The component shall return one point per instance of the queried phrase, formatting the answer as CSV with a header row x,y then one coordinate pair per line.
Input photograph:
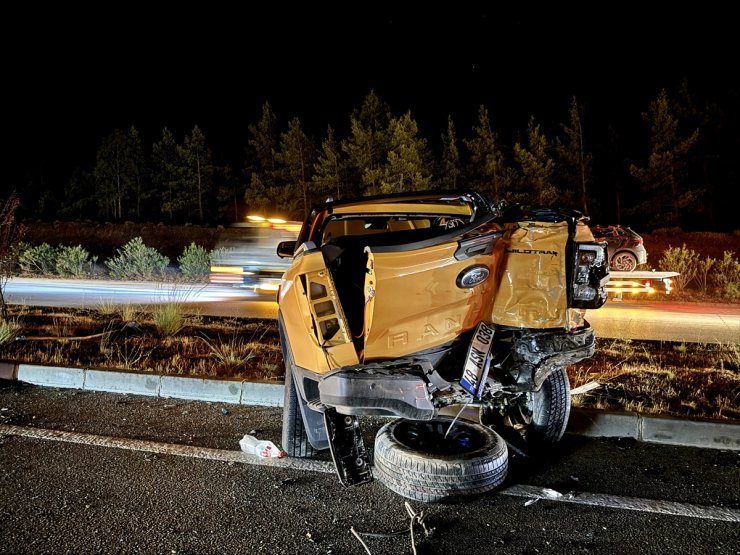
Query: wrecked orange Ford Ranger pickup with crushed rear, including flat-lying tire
x,y
422,306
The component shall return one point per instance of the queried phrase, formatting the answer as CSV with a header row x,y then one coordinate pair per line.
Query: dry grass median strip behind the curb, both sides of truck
x,y
699,381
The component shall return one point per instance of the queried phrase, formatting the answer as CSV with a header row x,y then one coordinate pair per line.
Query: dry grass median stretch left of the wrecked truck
x,y
191,346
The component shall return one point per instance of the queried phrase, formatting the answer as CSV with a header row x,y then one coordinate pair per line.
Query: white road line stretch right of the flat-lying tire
x,y
630,503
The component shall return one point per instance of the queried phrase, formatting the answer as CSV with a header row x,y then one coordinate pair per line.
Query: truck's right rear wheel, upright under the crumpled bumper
x,y
543,419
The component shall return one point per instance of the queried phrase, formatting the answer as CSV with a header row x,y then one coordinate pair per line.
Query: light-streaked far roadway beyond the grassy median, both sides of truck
x,y
666,321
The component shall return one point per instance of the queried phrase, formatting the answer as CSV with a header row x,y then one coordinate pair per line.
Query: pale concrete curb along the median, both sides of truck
x,y
587,422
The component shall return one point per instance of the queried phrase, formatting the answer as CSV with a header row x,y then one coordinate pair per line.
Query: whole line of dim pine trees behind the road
x,y
674,182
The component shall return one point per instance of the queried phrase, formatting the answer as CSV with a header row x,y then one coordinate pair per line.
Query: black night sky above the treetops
x,y
75,75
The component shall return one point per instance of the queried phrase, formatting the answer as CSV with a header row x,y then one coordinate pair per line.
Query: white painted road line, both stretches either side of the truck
x,y
517,490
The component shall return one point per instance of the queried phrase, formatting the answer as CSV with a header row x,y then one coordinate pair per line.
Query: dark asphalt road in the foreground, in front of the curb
x,y
104,473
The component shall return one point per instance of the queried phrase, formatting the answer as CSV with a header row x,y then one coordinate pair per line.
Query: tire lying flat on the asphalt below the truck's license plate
x,y
415,460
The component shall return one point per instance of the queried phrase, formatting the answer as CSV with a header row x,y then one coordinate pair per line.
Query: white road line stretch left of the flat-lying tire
x,y
167,448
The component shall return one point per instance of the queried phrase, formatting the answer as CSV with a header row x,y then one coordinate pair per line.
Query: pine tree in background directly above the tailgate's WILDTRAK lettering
x,y
537,168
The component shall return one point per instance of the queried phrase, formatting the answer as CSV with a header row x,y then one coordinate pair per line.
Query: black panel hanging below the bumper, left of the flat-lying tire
x,y
347,448
